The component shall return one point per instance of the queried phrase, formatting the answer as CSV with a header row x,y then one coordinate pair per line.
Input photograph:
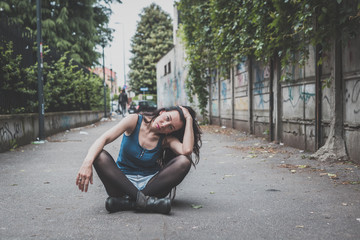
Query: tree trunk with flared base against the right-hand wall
x,y
334,148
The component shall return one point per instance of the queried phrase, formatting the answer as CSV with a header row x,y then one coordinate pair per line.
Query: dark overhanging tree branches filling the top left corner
x,y
70,26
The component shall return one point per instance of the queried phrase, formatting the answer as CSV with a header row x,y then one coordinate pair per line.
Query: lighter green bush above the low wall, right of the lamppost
x,y
68,88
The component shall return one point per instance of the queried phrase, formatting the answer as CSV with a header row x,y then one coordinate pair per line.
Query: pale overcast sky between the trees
x,y
125,17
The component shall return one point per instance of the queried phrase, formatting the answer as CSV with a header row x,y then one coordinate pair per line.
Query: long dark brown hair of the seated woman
x,y
179,134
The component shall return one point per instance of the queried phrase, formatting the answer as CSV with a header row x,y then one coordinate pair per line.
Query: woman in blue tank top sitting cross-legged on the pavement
x,y
143,174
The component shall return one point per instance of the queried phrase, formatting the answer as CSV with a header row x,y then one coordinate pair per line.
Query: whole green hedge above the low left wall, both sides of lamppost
x,y
66,86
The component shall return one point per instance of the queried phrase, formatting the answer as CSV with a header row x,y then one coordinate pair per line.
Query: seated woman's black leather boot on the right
x,y
153,204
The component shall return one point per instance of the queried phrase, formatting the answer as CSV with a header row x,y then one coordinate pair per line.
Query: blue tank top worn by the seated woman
x,y
136,160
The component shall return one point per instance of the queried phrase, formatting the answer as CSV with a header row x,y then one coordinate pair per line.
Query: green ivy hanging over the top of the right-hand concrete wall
x,y
218,33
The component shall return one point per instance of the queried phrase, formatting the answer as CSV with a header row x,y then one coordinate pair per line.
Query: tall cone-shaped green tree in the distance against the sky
x,y
152,40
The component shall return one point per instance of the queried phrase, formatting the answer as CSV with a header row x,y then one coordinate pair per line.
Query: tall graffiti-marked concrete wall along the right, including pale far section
x,y
242,100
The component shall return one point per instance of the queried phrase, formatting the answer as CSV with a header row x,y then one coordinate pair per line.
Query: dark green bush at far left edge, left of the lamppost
x,y
17,92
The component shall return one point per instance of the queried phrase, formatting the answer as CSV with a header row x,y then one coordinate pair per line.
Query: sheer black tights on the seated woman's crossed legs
x,y
117,184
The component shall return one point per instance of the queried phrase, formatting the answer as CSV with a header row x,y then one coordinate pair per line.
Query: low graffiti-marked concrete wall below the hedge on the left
x,y
21,129
